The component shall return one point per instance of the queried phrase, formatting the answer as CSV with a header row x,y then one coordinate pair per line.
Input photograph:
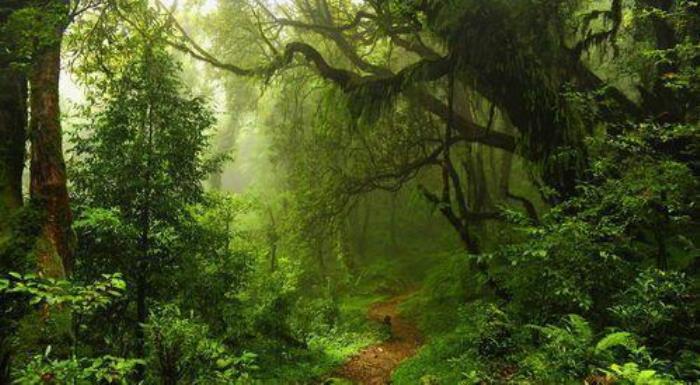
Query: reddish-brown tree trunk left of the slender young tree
x,y
48,171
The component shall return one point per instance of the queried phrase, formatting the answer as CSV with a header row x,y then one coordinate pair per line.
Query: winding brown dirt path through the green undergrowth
x,y
374,365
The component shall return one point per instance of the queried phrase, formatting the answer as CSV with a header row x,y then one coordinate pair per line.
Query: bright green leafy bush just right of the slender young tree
x,y
220,263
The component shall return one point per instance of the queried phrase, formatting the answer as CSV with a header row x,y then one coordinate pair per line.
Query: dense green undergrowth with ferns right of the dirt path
x,y
591,254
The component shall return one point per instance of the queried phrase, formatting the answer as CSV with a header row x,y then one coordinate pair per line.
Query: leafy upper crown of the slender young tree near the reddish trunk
x,y
162,136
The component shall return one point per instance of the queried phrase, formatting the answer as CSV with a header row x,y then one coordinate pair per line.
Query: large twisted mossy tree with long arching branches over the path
x,y
377,84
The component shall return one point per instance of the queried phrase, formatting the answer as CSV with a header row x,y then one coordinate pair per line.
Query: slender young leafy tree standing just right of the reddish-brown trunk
x,y
157,171
